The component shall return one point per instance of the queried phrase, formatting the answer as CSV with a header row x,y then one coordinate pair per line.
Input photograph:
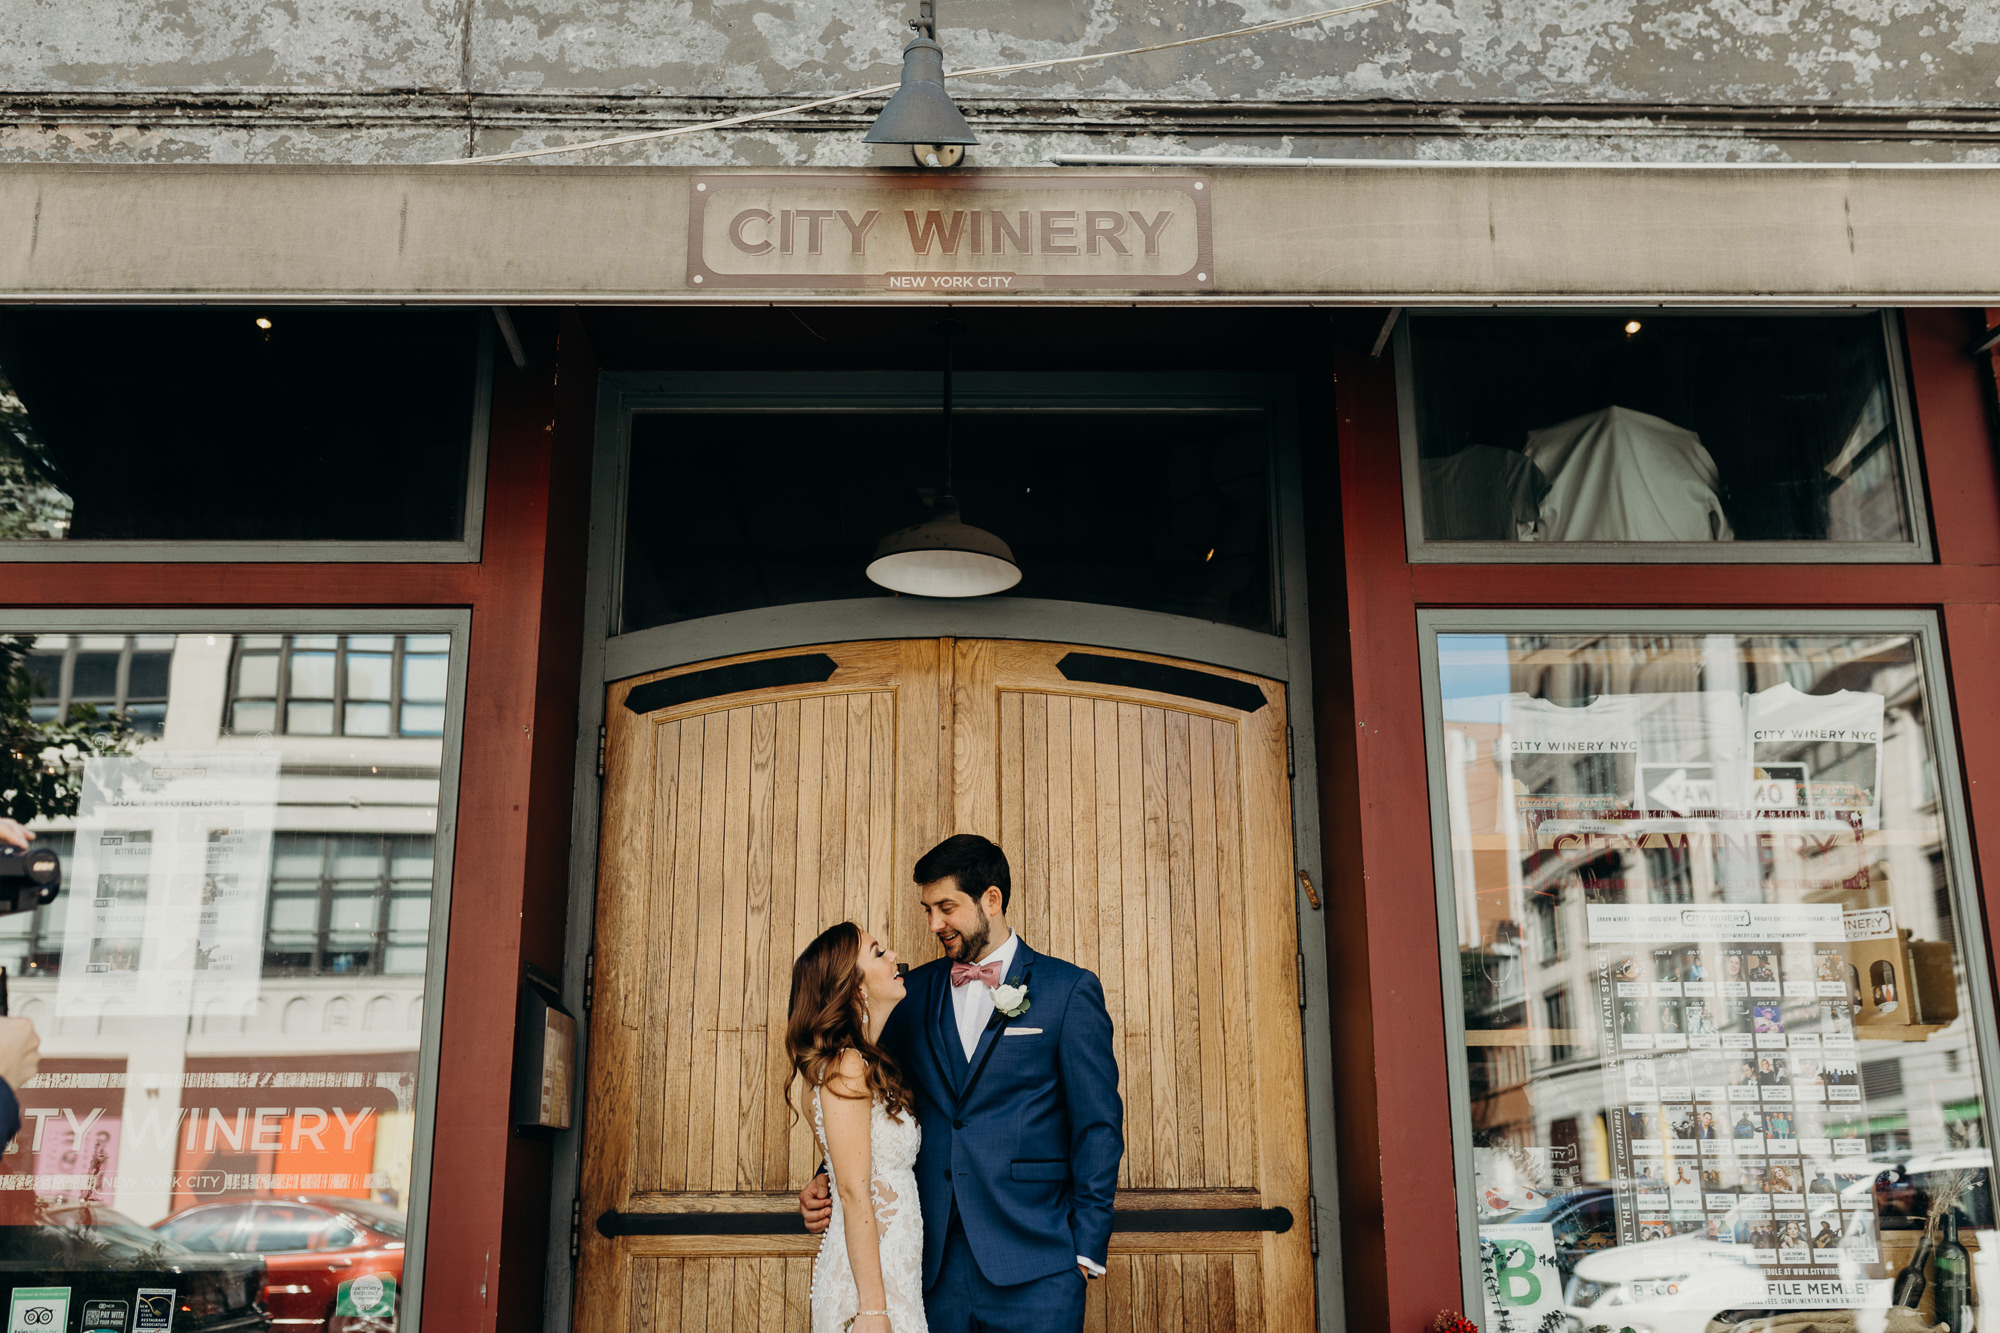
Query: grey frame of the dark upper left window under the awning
x,y
463,549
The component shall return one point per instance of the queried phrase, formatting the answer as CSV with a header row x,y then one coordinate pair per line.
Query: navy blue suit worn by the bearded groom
x,y
1023,1142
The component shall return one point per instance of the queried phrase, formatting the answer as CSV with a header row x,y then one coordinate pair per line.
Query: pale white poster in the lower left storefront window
x,y
167,894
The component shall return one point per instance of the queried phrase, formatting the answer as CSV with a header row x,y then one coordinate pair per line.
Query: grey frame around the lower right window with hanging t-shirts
x,y
1953,816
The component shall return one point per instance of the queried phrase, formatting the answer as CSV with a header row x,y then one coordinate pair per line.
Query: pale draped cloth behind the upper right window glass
x,y
1627,477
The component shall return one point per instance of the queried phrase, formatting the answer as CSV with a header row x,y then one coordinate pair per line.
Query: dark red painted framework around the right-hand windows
x,y
1397,1190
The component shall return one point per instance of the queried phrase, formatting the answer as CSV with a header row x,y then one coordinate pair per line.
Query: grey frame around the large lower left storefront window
x,y
453,621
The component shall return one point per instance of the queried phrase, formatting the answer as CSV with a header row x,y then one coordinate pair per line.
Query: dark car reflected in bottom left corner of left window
x,y
105,1256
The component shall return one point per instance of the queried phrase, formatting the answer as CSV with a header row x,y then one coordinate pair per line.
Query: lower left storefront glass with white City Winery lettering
x,y
231,984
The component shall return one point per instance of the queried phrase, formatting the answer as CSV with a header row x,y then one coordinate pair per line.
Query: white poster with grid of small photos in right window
x,y
1735,1094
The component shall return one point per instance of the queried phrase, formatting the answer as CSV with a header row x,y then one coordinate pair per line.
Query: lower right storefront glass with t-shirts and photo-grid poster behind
x,y
1723,1012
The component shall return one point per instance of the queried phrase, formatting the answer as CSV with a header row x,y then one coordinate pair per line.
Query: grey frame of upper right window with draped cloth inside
x,y
1919,549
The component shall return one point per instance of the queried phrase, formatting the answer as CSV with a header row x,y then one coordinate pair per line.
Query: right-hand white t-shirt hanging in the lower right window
x,y
1817,752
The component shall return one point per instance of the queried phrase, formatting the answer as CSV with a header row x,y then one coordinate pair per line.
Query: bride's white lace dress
x,y
899,1226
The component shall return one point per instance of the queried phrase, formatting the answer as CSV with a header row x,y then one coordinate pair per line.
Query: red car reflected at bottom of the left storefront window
x,y
311,1246
